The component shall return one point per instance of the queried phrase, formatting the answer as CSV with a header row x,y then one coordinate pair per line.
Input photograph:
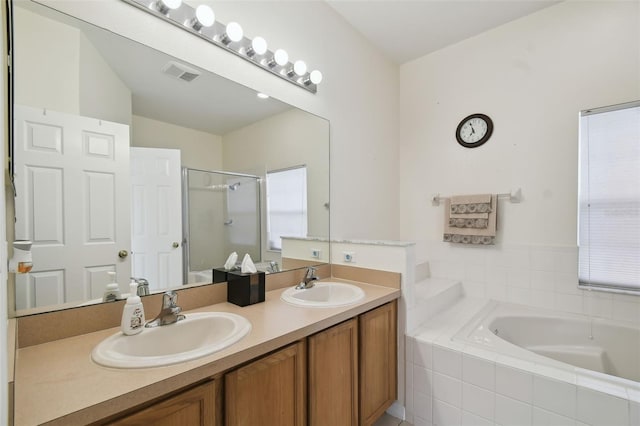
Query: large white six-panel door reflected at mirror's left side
x,y
72,201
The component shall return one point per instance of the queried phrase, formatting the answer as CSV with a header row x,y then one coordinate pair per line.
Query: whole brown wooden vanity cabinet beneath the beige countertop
x,y
345,375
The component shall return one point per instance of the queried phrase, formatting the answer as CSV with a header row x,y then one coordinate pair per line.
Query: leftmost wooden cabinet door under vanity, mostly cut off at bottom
x,y
195,406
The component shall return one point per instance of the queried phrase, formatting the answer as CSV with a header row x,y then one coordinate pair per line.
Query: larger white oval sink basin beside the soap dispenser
x,y
199,334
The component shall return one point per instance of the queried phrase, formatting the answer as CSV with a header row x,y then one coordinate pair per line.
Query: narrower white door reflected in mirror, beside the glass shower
x,y
156,215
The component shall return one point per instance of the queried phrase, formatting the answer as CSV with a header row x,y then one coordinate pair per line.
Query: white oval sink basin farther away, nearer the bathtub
x,y
324,294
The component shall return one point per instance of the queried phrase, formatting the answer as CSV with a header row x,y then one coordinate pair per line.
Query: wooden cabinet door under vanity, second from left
x,y
270,391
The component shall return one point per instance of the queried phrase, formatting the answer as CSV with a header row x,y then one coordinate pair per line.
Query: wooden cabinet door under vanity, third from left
x,y
333,376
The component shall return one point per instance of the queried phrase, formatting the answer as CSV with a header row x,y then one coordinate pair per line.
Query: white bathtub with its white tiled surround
x,y
484,362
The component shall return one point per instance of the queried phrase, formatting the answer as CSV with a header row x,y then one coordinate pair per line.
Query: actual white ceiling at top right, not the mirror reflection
x,y
405,30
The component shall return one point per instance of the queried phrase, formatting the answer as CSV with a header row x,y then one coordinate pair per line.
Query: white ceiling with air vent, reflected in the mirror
x,y
209,103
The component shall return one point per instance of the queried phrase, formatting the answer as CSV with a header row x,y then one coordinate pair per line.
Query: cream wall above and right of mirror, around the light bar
x,y
358,94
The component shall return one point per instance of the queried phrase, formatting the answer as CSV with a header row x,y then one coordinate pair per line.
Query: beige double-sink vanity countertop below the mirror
x,y
58,383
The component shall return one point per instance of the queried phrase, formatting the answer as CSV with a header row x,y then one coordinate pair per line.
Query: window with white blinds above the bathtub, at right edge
x,y
609,198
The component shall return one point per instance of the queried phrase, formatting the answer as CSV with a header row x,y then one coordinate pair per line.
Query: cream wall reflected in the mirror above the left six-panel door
x,y
57,68
